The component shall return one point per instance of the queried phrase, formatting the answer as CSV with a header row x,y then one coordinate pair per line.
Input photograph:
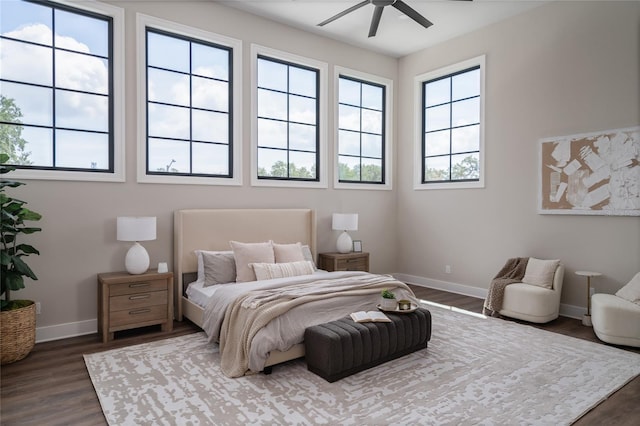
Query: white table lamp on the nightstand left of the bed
x,y
136,229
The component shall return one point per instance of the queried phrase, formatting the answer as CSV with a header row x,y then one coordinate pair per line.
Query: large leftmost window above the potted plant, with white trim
x,y
60,84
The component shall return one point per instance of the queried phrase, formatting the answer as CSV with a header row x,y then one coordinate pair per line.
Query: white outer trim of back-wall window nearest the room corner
x,y
387,154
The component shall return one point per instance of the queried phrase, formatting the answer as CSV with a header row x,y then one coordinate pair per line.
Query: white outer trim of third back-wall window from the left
x,y
258,51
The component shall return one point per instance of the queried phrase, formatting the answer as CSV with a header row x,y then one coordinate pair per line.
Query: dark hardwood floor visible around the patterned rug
x,y
52,387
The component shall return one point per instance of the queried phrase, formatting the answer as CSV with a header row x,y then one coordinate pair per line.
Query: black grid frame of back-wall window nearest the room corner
x,y
383,134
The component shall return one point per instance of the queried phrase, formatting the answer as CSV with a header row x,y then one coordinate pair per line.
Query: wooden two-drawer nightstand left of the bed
x,y
128,301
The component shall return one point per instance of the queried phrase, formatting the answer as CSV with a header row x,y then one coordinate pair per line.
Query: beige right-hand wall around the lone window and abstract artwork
x,y
561,69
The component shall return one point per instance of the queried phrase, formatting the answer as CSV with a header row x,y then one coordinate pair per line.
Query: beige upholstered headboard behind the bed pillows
x,y
212,229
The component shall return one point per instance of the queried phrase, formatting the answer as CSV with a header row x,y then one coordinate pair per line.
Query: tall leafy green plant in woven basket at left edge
x,y
17,317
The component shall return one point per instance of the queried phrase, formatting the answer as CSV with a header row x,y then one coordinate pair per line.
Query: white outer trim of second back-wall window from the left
x,y
171,28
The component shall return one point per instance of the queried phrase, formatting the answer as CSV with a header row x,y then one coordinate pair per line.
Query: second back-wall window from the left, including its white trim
x,y
187,102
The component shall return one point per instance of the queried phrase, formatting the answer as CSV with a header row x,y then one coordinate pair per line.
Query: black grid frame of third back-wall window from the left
x,y
288,121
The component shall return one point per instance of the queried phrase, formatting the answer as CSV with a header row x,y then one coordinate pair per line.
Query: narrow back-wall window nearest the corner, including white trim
x,y
363,130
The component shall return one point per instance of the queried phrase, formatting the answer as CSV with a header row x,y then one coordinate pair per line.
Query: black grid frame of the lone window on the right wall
x,y
450,154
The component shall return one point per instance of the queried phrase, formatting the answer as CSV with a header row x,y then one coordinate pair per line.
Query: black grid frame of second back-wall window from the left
x,y
191,141
